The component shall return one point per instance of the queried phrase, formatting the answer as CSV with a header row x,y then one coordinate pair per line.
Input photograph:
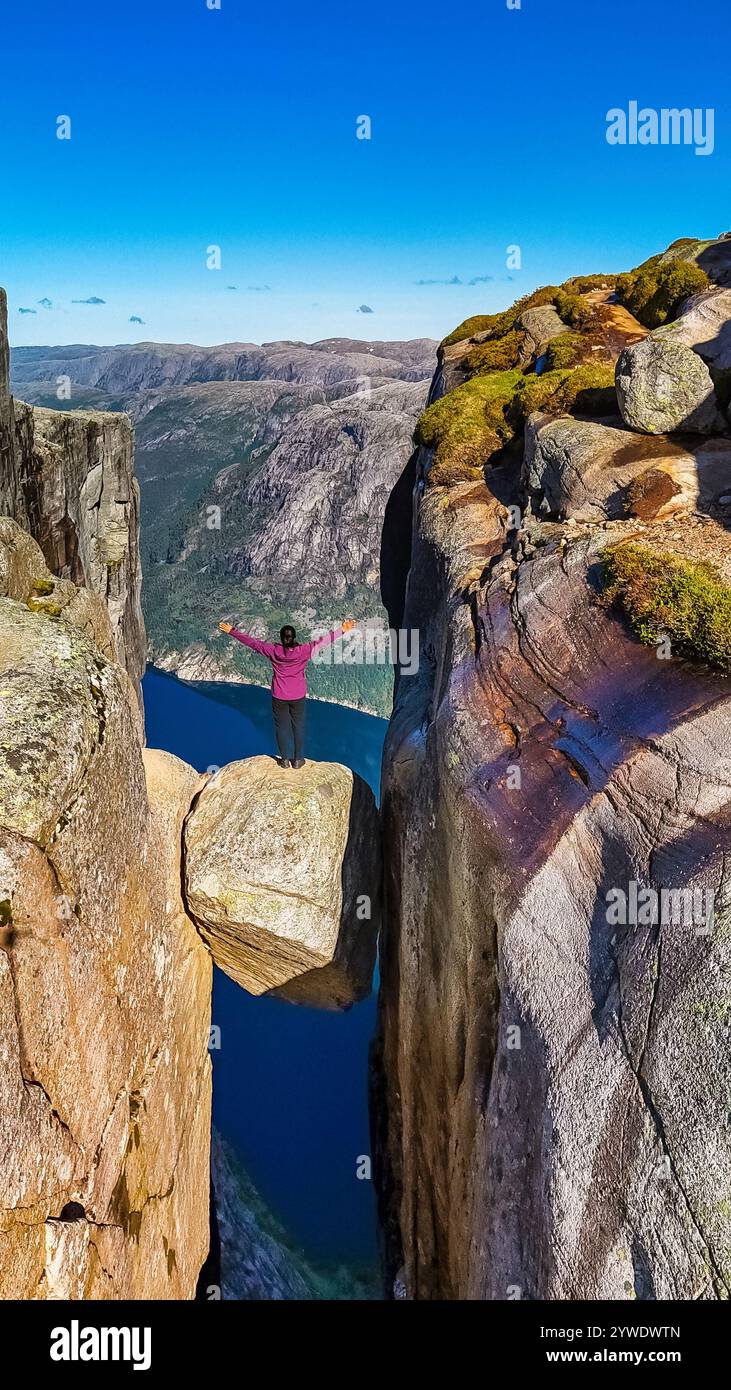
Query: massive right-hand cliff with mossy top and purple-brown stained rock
x,y
552,1072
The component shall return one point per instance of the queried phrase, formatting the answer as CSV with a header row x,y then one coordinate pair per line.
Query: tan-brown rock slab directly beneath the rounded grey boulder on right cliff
x,y
591,472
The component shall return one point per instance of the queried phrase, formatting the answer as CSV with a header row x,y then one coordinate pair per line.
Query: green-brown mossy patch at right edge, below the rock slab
x,y
665,596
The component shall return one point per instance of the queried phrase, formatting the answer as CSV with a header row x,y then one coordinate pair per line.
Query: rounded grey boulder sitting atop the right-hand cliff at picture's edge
x,y
664,386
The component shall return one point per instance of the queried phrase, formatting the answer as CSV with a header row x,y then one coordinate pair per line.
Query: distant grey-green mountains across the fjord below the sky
x,y
298,445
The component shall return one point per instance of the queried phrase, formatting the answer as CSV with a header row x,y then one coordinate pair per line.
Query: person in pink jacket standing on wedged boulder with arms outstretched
x,y
288,685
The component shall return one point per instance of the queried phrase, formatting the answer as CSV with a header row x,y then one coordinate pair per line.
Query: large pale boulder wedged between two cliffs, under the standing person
x,y
283,874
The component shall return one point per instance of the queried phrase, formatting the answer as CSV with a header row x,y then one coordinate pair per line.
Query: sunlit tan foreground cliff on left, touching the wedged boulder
x,y
105,986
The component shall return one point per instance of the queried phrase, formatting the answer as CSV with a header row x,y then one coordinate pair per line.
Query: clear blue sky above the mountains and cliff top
x,y
237,127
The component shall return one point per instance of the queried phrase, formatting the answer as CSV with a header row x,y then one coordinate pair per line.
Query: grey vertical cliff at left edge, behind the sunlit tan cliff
x,y
69,480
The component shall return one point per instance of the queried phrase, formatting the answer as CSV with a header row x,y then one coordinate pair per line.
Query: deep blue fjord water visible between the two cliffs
x,y
290,1084
